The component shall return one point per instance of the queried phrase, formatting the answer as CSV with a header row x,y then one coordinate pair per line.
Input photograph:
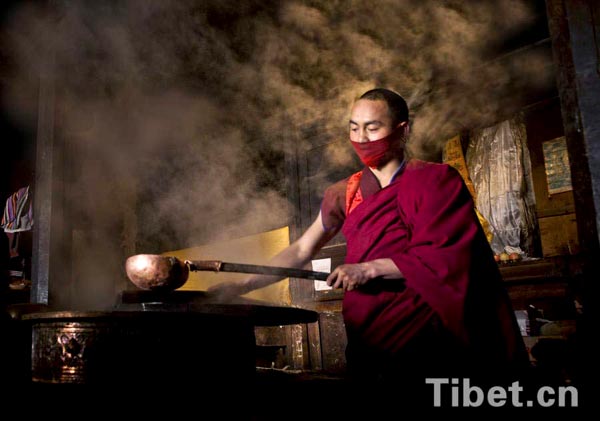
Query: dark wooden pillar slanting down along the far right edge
x,y
575,32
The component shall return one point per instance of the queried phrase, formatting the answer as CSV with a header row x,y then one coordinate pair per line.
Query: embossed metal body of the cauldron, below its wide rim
x,y
140,348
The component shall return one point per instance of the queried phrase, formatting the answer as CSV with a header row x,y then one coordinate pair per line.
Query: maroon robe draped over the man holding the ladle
x,y
424,221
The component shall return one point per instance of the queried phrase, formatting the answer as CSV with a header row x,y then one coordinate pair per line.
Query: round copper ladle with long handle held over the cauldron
x,y
158,272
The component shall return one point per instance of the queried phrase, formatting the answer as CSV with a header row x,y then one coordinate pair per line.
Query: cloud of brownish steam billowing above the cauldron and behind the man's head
x,y
178,115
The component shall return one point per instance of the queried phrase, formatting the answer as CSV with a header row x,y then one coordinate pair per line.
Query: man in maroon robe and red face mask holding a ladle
x,y
423,294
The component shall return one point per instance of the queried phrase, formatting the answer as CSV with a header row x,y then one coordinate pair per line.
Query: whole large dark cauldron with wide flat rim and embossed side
x,y
153,339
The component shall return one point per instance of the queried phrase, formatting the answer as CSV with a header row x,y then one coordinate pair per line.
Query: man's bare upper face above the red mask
x,y
369,121
